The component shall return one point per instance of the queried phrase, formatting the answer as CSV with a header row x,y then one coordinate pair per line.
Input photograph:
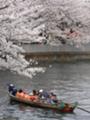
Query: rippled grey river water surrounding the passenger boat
x,y
70,81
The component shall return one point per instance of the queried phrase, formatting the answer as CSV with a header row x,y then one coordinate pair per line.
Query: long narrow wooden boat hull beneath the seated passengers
x,y
61,107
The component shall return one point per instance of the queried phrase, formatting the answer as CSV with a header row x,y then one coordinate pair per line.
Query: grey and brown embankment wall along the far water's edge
x,y
56,53
